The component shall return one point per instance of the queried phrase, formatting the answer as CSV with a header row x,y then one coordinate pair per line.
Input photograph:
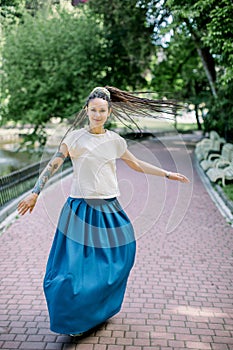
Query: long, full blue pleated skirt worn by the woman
x,y
89,263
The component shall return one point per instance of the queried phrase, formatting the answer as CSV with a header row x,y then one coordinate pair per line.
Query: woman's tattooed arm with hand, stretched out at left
x,y
55,163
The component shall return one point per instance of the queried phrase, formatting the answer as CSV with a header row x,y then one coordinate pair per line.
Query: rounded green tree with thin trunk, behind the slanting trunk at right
x,y
179,73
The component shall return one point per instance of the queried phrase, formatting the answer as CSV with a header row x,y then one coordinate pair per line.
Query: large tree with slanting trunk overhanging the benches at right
x,y
208,23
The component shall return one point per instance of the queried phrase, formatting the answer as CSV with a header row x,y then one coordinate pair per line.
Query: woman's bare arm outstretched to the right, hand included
x,y
147,168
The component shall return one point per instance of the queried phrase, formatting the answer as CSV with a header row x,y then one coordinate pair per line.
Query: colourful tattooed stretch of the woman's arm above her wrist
x,y
50,169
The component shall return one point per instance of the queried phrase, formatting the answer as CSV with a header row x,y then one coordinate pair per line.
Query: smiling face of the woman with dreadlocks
x,y
98,112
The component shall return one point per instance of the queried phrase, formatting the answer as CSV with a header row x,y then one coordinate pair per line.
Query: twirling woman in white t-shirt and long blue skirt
x,y
94,246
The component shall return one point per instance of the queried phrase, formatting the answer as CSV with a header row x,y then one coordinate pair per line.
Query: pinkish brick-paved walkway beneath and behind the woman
x,y
180,292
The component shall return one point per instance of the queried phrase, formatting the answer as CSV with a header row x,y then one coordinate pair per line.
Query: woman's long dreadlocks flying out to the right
x,y
127,105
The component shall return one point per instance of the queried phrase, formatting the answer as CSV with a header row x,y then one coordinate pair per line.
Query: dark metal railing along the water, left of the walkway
x,y
20,181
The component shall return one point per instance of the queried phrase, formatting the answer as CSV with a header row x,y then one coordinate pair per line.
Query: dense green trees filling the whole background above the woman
x,y
183,48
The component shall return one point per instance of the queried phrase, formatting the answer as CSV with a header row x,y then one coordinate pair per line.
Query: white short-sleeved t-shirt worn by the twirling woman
x,y
94,163
